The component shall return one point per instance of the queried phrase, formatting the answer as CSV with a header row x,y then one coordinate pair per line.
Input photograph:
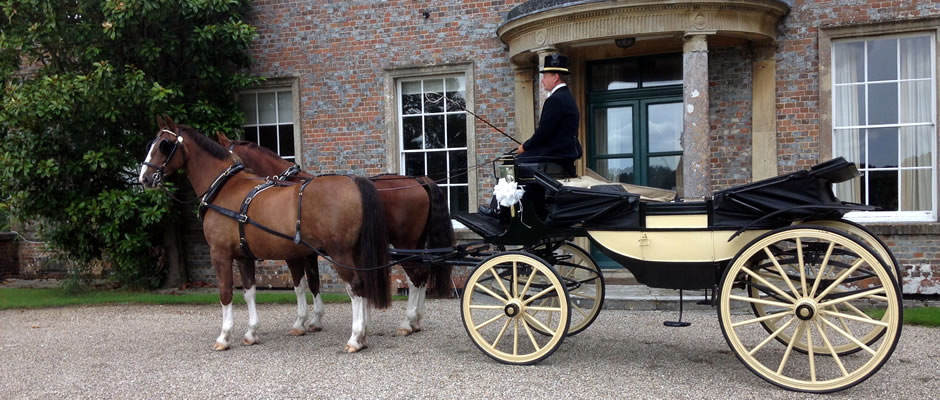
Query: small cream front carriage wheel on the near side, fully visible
x,y
498,303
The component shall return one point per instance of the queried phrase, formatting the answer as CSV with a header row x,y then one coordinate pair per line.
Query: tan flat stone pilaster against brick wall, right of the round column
x,y
763,114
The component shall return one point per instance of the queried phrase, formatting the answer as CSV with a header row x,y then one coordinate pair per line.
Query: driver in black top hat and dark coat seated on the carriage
x,y
554,146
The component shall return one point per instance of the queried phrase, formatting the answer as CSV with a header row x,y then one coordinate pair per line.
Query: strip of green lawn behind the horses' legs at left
x,y
38,298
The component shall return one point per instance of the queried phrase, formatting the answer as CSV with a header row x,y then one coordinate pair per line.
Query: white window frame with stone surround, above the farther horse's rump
x,y
395,158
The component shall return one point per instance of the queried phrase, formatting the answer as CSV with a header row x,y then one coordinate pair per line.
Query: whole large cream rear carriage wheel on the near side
x,y
829,292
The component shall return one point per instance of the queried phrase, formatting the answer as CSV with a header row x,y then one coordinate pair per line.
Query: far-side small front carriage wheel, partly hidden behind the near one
x,y
585,284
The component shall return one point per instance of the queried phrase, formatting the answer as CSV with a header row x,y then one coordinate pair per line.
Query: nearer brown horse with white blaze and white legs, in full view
x,y
340,214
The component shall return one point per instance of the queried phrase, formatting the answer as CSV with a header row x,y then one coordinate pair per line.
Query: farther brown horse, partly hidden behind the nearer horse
x,y
416,216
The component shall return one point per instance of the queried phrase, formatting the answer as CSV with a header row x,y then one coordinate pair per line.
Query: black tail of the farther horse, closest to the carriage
x,y
439,233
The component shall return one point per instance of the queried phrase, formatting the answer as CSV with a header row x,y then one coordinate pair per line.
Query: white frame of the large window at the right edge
x,y
890,216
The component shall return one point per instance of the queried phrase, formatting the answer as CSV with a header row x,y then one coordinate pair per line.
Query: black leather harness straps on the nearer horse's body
x,y
242,215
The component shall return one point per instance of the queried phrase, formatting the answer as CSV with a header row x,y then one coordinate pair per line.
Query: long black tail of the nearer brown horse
x,y
373,247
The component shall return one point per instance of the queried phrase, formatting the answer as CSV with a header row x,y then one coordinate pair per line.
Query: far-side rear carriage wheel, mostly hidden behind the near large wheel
x,y
857,231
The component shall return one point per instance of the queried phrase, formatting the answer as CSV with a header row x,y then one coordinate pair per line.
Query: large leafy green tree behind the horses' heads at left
x,y
81,83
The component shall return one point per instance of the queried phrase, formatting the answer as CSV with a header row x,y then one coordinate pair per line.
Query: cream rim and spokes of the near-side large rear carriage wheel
x,y
776,372
